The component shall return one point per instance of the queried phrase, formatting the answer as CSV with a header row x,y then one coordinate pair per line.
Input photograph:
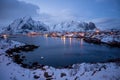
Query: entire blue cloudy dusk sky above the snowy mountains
x,y
98,11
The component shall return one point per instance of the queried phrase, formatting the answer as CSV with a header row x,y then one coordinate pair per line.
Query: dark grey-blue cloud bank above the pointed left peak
x,y
12,9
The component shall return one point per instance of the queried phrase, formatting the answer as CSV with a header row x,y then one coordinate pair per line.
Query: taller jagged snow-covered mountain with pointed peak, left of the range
x,y
25,25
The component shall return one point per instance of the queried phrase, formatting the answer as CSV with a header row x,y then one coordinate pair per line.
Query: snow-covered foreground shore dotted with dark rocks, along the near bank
x,y
84,71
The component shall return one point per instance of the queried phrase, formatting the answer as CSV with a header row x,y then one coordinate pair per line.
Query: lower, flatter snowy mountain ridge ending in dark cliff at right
x,y
73,26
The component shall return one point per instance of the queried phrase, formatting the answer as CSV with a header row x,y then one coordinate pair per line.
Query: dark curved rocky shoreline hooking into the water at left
x,y
14,53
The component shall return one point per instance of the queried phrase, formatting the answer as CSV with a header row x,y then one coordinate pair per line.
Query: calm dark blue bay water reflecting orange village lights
x,y
62,52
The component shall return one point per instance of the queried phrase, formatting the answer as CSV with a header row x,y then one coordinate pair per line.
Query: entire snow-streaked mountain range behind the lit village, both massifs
x,y
27,24
